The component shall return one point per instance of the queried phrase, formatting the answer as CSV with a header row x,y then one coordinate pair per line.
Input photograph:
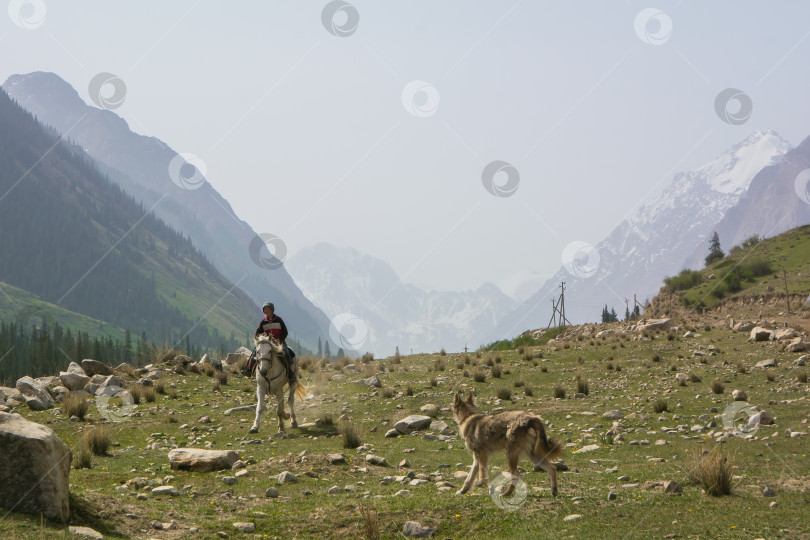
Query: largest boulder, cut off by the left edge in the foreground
x,y
34,469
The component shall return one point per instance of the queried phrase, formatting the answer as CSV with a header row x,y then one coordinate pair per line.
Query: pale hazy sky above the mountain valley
x,y
372,127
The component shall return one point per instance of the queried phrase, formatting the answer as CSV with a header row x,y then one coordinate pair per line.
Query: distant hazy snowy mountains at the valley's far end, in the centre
x,y
372,310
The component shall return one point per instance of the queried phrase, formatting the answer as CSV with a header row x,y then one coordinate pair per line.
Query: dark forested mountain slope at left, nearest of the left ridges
x,y
74,239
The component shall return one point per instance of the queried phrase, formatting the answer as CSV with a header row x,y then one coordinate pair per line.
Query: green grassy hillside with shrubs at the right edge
x,y
771,266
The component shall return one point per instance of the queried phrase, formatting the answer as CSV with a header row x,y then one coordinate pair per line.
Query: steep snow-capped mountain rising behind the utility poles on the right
x,y
659,239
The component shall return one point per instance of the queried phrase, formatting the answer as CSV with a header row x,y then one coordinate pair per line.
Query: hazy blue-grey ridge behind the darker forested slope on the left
x,y
140,166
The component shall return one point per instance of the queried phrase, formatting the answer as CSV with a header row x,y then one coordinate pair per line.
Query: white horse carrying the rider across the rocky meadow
x,y
271,377
